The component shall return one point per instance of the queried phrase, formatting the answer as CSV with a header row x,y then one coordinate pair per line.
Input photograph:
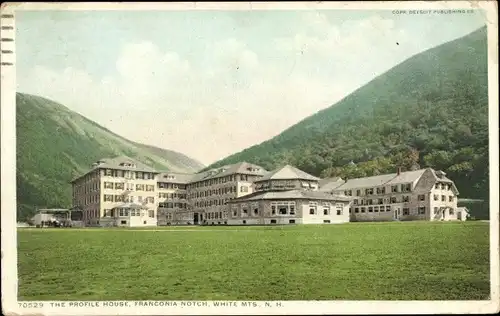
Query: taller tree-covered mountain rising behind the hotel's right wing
x,y
430,110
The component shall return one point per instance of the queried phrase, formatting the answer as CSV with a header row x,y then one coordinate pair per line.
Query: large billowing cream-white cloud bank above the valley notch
x,y
229,97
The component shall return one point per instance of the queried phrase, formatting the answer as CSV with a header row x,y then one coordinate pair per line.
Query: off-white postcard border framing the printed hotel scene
x,y
11,306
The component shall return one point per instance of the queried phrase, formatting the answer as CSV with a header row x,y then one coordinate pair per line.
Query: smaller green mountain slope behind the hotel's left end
x,y
55,144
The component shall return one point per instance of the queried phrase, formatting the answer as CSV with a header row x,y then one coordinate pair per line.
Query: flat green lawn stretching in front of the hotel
x,y
354,261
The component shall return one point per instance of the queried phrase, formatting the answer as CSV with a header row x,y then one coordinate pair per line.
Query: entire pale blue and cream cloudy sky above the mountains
x,y
212,83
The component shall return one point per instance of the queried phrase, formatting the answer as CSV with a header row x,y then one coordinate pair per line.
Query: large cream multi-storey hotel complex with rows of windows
x,y
123,192
